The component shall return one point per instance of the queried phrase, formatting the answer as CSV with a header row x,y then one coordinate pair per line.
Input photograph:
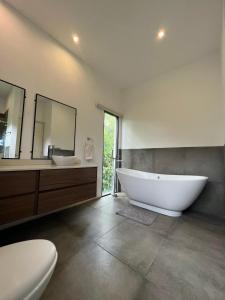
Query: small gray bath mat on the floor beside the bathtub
x,y
138,214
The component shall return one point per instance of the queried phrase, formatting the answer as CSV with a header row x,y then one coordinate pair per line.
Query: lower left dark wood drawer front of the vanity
x,y
16,208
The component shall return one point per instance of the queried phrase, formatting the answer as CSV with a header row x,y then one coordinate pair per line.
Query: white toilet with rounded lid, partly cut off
x,y
26,268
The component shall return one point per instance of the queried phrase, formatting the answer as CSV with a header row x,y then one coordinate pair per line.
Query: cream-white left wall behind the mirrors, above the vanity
x,y
33,60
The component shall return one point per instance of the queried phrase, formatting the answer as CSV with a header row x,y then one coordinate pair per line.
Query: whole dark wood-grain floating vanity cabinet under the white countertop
x,y
28,193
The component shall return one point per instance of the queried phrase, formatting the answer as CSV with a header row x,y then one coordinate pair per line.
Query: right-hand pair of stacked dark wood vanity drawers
x,y
59,188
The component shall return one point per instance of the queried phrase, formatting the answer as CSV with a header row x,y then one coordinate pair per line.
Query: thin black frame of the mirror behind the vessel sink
x,y
35,112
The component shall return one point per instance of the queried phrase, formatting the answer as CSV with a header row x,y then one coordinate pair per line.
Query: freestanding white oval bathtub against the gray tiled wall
x,y
165,194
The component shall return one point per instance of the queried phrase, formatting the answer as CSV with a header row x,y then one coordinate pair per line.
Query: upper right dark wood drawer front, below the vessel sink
x,y
54,179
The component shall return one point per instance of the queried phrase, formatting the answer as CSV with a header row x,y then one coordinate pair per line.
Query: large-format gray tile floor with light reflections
x,y
103,256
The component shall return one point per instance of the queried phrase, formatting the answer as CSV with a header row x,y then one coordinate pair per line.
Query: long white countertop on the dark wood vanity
x,y
42,167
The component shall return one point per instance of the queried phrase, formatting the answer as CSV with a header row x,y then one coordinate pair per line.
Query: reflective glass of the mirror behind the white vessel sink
x,y
54,129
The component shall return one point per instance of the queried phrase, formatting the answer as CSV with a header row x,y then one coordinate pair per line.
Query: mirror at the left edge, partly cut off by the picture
x,y
11,119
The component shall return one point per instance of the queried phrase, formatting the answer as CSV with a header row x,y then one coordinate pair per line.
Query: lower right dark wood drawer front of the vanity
x,y
49,201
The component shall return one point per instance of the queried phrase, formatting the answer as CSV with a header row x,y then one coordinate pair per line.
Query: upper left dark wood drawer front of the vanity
x,y
17,183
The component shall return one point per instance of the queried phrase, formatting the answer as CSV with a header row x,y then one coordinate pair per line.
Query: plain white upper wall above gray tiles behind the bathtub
x,y
182,108
